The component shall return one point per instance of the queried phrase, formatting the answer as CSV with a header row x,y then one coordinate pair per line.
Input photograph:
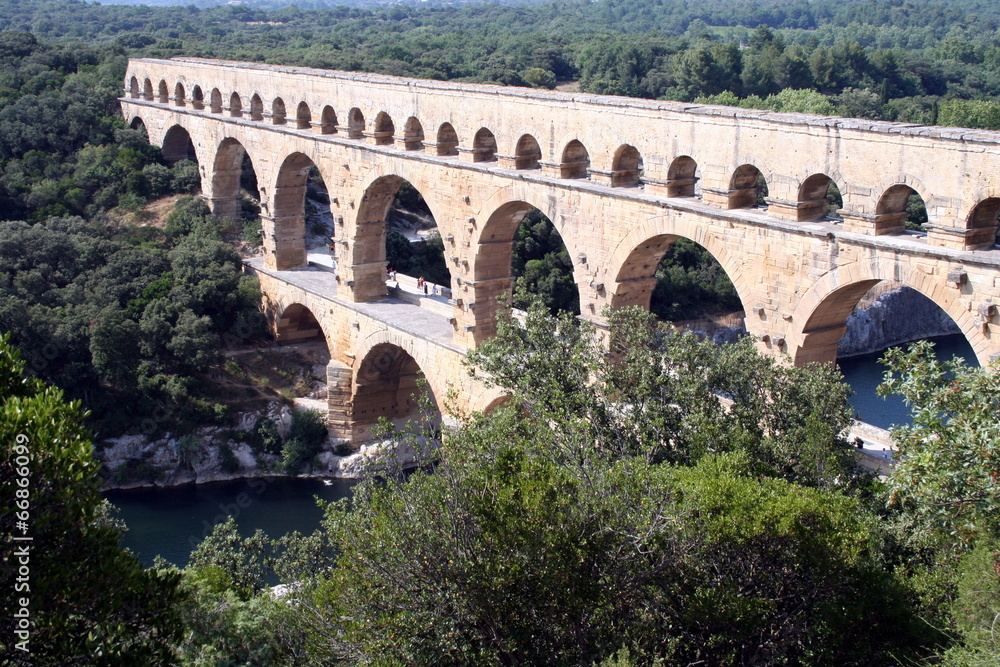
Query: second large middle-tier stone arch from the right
x,y
633,264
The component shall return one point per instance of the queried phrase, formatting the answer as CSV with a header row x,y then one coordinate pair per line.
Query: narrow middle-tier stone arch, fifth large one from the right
x,y
288,198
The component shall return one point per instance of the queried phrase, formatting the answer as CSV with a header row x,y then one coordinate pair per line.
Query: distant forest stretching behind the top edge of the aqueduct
x,y
886,60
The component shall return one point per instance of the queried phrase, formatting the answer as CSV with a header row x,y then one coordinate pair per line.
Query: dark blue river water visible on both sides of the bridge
x,y
171,521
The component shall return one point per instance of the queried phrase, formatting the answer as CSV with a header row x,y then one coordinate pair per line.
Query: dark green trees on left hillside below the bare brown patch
x,y
106,311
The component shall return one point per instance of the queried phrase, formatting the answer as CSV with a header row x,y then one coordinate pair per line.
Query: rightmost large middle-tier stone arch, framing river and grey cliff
x,y
823,310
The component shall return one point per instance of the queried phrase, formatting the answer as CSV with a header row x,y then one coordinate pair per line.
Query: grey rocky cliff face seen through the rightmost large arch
x,y
900,316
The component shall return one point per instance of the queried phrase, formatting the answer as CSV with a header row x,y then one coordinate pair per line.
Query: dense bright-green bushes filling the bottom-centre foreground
x,y
599,552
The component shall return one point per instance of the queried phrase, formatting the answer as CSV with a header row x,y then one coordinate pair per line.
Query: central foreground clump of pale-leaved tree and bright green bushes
x,y
552,530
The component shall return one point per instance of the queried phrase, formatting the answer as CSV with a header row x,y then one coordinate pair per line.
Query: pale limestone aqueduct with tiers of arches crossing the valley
x,y
620,178
